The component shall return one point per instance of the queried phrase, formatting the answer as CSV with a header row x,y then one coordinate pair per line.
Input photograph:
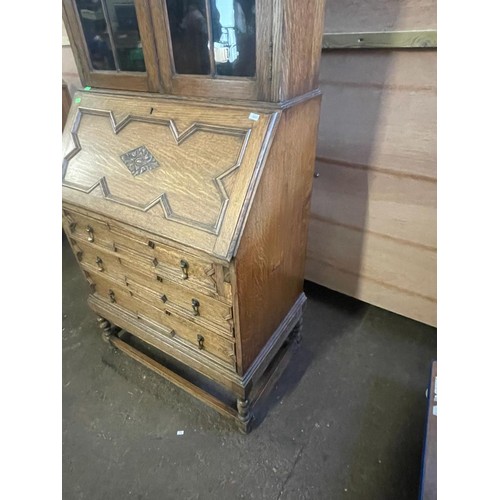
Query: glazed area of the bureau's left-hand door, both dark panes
x,y
112,34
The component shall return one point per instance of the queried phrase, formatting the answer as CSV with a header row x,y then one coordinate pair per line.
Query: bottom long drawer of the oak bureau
x,y
200,339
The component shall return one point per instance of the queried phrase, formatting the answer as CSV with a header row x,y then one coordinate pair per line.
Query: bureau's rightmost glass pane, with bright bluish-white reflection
x,y
233,33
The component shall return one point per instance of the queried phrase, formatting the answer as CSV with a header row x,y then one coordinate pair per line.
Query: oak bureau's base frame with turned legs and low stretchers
x,y
257,383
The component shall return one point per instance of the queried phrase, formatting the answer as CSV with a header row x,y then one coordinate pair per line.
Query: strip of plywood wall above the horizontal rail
x,y
344,16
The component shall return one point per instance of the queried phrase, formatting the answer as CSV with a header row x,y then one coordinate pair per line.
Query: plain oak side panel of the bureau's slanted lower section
x,y
268,271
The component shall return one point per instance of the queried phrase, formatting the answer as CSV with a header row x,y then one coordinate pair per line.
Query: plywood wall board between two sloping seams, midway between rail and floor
x,y
400,207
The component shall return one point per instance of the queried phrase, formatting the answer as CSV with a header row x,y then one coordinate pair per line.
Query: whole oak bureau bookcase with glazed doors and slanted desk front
x,y
186,180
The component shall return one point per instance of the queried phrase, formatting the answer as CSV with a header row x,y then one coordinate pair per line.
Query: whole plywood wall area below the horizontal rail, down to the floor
x,y
373,211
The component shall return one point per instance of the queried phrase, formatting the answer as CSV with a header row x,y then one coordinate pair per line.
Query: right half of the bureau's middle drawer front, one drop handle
x,y
191,305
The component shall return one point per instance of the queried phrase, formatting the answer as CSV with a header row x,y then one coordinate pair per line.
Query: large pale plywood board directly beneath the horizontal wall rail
x,y
379,110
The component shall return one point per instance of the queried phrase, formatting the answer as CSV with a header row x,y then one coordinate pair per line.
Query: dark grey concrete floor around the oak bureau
x,y
345,421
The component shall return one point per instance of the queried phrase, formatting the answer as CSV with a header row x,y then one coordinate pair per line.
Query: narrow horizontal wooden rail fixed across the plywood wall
x,y
423,39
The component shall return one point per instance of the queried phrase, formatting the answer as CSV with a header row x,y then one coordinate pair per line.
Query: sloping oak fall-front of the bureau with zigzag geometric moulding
x,y
206,162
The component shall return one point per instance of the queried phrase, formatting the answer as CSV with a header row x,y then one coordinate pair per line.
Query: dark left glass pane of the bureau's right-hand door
x,y
189,34
